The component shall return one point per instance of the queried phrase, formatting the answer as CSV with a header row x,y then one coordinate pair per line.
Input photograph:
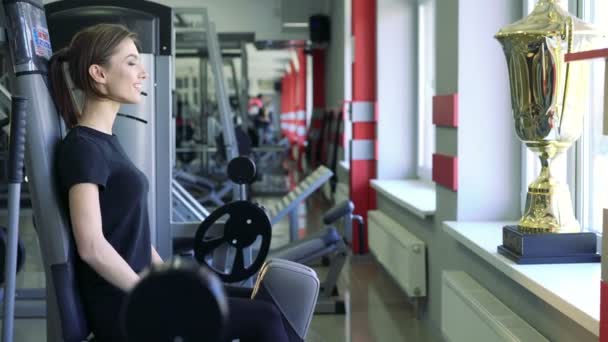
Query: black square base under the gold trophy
x,y
551,248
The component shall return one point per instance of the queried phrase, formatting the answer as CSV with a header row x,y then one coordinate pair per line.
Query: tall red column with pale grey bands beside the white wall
x,y
363,115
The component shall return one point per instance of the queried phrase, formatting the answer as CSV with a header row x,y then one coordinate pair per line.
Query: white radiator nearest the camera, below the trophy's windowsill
x,y
469,312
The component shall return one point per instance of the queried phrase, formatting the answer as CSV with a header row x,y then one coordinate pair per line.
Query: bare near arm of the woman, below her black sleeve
x,y
93,248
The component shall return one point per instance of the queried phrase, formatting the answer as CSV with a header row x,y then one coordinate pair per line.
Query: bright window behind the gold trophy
x,y
585,164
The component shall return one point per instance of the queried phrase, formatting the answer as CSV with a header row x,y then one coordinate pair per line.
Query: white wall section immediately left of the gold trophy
x,y
489,159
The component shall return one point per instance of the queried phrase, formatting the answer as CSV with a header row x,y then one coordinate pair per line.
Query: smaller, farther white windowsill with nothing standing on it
x,y
414,195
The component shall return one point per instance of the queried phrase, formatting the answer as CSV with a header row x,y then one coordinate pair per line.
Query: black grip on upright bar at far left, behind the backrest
x,y
17,139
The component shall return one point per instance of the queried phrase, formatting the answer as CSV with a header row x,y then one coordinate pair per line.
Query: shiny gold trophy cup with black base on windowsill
x,y
549,99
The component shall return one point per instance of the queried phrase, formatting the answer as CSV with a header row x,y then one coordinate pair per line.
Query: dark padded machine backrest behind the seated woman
x,y
65,314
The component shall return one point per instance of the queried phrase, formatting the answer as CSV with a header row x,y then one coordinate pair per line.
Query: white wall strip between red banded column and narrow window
x,y
396,88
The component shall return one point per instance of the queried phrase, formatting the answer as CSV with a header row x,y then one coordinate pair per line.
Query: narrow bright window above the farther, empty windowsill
x,y
426,87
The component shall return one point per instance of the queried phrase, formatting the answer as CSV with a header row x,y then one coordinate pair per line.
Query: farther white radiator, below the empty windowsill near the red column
x,y
401,253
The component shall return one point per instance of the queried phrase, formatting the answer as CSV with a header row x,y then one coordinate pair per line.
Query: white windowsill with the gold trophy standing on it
x,y
573,289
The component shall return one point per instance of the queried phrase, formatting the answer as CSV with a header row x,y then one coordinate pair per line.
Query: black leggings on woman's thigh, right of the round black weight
x,y
253,320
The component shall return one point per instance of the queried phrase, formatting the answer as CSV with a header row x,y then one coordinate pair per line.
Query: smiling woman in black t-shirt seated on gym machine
x,y
106,194
